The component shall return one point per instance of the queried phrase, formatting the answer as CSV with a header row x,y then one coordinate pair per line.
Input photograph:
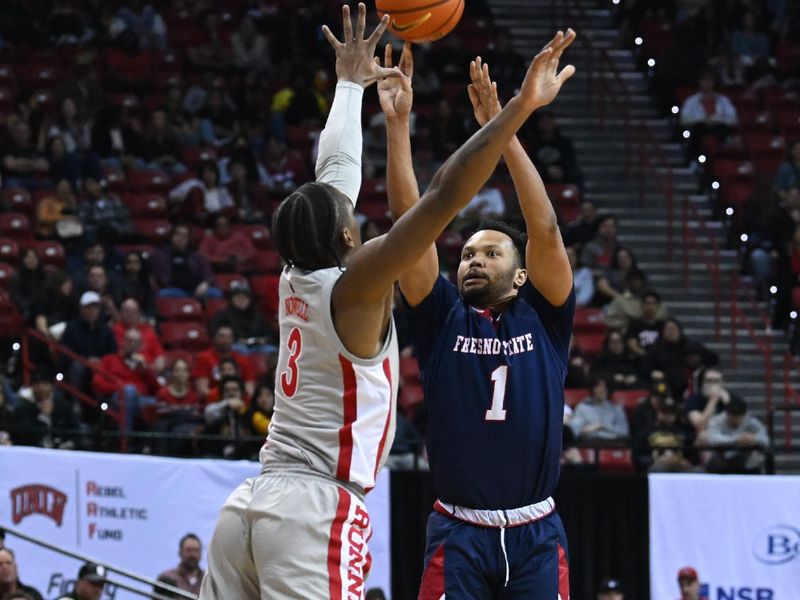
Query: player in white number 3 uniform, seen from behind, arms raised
x,y
299,529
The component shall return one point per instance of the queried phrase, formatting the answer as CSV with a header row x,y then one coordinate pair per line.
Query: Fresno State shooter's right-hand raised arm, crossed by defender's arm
x,y
545,255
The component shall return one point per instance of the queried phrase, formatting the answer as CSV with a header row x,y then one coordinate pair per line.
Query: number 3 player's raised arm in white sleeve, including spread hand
x,y
340,144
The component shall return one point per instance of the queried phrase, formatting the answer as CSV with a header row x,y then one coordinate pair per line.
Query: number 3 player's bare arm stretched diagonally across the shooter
x,y
383,261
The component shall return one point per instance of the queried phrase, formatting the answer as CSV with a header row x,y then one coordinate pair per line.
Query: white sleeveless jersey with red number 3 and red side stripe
x,y
334,412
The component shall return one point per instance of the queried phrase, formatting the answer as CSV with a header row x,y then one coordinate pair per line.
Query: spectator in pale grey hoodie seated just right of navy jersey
x,y
596,418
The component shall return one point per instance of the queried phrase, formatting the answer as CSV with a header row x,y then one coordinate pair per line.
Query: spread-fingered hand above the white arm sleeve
x,y
354,56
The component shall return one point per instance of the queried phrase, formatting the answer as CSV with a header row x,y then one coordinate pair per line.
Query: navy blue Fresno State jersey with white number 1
x,y
495,396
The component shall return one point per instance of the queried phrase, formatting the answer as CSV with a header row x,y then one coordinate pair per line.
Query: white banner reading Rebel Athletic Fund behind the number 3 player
x,y
130,511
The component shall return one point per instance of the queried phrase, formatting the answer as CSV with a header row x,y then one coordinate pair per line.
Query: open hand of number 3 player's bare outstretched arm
x,y
543,81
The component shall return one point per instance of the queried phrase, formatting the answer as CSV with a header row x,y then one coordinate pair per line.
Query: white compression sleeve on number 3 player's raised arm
x,y
339,157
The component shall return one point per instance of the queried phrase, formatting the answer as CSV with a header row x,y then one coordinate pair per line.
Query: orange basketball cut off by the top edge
x,y
421,20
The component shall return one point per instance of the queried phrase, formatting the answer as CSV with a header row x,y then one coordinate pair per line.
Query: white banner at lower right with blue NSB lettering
x,y
741,534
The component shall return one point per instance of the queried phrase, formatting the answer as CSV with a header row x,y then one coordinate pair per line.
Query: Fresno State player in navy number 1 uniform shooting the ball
x,y
493,355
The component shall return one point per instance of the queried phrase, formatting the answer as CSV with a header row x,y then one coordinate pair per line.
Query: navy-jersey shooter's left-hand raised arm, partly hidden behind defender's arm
x,y
396,96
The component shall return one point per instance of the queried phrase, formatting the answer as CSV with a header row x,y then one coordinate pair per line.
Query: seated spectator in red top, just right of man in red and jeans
x,y
177,410
